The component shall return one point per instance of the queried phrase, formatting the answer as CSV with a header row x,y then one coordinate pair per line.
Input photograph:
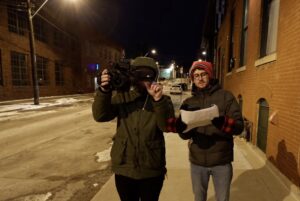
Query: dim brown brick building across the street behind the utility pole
x,y
67,55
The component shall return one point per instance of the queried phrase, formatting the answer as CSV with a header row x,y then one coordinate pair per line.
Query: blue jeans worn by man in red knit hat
x,y
221,175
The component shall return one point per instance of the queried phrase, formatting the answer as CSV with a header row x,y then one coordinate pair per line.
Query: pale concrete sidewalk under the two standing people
x,y
254,178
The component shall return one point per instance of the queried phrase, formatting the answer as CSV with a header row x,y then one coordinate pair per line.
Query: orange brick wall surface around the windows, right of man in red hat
x,y
278,82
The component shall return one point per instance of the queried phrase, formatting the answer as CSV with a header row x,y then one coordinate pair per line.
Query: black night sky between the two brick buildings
x,y
172,27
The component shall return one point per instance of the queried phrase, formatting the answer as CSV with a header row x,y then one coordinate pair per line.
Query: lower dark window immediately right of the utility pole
x,y
42,70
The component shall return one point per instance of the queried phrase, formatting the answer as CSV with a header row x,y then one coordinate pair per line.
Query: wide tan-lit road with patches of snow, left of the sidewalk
x,y
50,154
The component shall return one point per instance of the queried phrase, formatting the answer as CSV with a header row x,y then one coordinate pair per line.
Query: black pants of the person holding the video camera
x,y
139,190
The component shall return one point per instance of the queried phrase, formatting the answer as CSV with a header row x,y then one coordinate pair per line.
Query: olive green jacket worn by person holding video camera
x,y
138,150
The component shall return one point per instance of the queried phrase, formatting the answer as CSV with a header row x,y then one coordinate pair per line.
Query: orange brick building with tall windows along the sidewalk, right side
x,y
255,46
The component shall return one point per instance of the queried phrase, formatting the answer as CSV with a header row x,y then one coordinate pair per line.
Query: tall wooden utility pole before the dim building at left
x,y
33,56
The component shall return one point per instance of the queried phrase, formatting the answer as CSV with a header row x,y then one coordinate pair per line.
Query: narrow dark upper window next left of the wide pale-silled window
x,y
243,50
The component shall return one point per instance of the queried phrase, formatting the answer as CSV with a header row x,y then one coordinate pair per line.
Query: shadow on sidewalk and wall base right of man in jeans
x,y
260,184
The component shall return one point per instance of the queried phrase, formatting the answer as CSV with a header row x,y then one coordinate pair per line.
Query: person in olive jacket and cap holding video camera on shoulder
x,y
138,150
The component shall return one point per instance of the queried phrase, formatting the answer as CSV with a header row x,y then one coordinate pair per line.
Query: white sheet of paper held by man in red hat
x,y
198,118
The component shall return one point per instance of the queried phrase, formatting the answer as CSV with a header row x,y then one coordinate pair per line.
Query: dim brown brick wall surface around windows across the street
x,y
74,62
